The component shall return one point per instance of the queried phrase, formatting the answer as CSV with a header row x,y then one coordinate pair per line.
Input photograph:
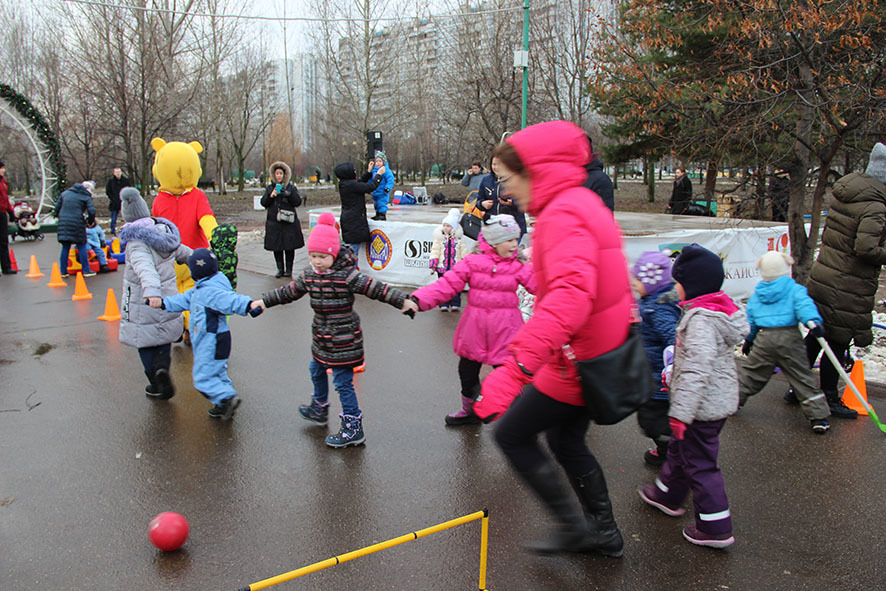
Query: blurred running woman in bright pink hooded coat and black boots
x,y
584,301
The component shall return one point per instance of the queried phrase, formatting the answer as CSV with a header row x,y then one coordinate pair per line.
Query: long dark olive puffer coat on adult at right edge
x,y
844,278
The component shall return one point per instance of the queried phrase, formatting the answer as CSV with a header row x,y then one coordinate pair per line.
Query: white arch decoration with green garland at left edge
x,y
42,140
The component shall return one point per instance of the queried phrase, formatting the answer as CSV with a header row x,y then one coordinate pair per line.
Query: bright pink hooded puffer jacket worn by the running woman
x,y
584,297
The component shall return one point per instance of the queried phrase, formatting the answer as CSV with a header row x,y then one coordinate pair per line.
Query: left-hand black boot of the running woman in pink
x,y
571,534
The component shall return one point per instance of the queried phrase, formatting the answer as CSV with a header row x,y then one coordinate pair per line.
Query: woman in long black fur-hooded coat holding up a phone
x,y
282,237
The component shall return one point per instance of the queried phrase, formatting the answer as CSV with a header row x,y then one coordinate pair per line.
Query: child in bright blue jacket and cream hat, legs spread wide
x,y
779,303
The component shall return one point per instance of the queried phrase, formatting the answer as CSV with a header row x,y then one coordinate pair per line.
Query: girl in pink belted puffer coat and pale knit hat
x,y
492,316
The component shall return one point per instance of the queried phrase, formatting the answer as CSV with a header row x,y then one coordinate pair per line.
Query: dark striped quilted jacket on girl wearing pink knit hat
x,y
337,339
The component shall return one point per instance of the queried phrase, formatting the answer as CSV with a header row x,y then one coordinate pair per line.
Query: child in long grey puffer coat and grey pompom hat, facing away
x,y
152,246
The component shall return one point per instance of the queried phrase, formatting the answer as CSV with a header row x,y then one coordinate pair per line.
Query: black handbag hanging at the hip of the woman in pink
x,y
615,384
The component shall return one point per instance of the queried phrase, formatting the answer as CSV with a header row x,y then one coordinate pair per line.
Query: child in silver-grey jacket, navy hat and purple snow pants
x,y
704,392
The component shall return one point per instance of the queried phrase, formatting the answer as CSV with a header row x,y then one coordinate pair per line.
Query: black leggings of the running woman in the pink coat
x,y
565,427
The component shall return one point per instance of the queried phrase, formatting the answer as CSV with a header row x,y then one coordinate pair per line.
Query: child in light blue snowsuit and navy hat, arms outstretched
x,y
209,301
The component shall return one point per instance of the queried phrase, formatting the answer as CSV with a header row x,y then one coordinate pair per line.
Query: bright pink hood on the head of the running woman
x,y
555,155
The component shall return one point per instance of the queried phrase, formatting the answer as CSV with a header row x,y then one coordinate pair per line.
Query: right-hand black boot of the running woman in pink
x,y
604,535
